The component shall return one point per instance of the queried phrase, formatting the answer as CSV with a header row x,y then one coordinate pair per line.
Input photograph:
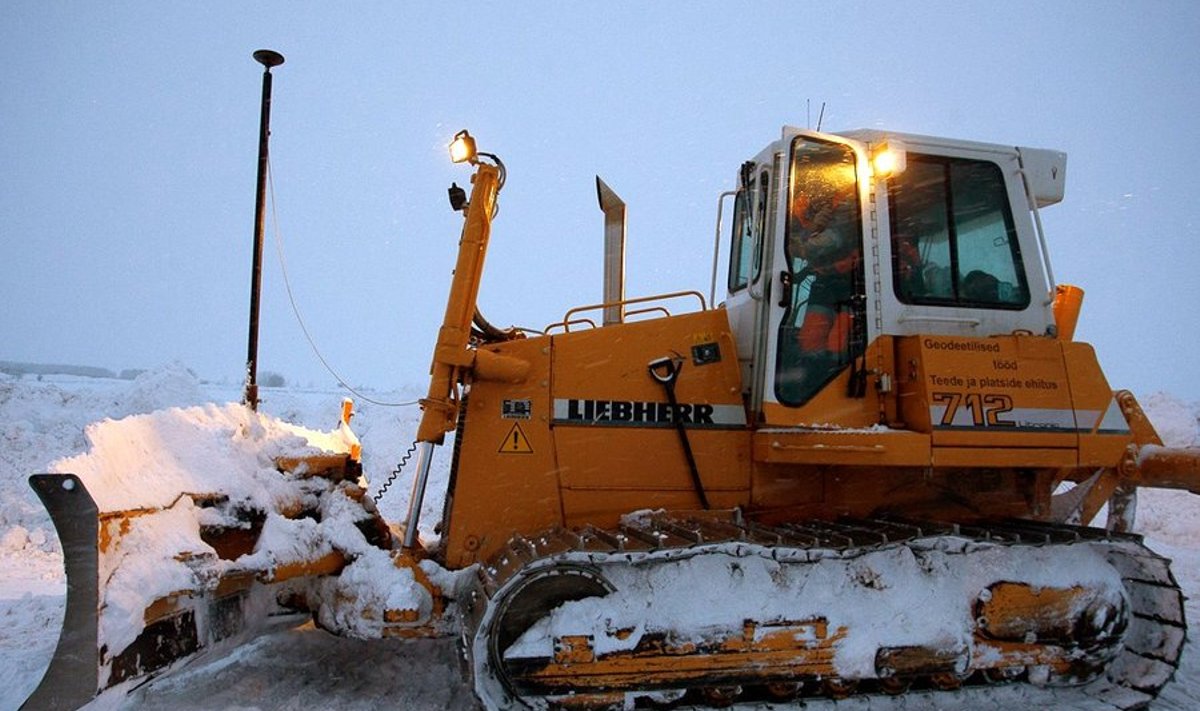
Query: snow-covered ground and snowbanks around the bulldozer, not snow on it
x,y
43,421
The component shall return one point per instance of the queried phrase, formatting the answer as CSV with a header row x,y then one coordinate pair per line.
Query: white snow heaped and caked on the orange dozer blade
x,y
153,470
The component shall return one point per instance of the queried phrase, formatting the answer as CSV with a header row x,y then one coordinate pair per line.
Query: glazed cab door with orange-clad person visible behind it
x,y
819,322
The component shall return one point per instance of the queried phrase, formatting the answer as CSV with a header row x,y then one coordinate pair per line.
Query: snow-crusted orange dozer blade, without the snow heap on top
x,y
151,589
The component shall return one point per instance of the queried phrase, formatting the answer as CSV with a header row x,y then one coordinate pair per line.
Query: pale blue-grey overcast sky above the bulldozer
x,y
129,135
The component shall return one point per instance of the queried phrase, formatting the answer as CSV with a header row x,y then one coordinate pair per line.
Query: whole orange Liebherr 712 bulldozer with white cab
x,y
880,464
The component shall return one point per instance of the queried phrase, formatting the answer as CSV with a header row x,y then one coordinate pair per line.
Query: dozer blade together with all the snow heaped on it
x,y
207,527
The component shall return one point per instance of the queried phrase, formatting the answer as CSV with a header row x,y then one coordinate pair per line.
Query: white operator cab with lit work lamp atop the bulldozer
x,y
841,240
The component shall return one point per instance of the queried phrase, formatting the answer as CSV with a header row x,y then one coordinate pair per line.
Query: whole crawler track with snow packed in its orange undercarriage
x,y
1121,662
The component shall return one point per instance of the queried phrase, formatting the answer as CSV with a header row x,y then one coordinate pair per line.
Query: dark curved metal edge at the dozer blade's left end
x,y
71,679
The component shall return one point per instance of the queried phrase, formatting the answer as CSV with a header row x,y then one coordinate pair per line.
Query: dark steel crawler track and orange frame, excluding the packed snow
x,y
535,575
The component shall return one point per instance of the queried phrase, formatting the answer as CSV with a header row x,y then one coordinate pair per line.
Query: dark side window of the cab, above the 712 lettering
x,y
953,241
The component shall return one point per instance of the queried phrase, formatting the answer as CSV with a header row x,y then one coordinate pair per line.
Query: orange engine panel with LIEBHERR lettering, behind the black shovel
x,y
619,447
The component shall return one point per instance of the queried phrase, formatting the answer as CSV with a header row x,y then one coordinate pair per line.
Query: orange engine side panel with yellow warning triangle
x,y
506,480
